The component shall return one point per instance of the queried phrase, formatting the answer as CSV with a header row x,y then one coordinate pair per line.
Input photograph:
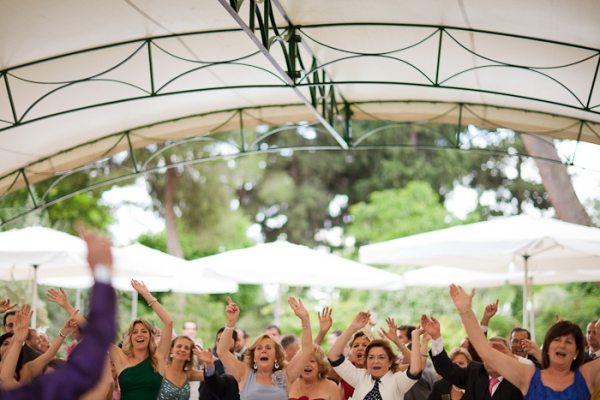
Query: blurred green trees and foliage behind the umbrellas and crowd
x,y
335,200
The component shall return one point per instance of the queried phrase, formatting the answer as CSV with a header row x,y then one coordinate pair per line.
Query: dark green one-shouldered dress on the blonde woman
x,y
140,382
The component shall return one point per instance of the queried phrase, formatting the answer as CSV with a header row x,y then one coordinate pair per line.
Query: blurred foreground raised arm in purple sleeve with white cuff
x,y
84,367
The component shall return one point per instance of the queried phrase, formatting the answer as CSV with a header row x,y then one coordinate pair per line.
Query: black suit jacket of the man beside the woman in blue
x,y
474,379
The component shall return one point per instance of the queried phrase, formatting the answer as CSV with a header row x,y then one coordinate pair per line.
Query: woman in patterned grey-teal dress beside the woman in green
x,y
179,373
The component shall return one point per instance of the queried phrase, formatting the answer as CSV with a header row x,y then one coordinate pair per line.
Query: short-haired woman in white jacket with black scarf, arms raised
x,y
382,378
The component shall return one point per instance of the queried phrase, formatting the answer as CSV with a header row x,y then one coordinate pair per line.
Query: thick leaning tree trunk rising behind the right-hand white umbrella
x,y
556,181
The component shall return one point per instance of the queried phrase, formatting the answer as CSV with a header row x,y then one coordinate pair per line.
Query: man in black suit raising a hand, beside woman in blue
x,y
480,381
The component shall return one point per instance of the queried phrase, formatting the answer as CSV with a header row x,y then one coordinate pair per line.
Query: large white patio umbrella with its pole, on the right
x,y
513,244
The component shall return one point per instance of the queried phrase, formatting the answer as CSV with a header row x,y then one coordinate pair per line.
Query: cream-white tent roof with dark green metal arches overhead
x,y
150,72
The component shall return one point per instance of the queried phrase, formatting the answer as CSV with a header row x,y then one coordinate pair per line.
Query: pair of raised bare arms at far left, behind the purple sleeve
x,y
13,372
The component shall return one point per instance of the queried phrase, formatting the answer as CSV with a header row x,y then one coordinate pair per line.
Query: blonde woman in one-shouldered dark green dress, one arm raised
x,y
140,364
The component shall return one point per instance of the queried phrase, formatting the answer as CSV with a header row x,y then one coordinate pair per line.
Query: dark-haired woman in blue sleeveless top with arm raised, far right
x,y
562,376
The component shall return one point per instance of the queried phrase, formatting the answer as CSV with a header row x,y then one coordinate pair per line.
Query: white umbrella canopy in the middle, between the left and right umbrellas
x,y
294,265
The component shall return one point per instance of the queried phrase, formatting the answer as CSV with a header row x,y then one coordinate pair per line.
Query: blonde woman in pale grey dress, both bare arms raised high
x,y
264,374
